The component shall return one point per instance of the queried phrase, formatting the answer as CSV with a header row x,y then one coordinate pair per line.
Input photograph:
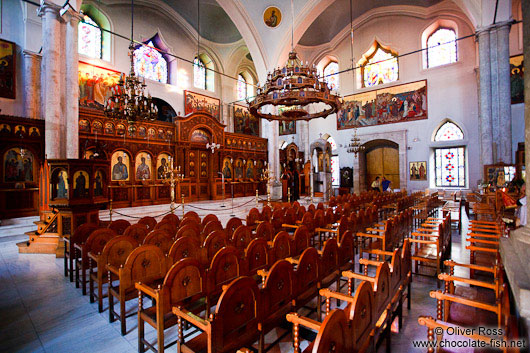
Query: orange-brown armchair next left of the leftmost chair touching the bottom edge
x,y
146,264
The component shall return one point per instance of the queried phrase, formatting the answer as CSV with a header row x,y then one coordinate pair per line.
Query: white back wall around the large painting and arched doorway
x,y
451,89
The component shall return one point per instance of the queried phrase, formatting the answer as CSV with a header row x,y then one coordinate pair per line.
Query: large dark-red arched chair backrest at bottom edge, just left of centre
x,y
236,316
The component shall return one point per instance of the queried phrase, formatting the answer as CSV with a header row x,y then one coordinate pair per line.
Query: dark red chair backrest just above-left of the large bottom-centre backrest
x,y
223,269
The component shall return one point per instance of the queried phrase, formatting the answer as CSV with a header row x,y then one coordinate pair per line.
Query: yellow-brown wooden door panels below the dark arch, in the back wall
x,y
383,161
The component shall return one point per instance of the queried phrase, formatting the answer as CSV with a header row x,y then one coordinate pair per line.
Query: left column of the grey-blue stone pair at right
x,y
486,137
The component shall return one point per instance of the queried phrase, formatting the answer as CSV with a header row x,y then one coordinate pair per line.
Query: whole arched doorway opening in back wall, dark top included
x,y
382,159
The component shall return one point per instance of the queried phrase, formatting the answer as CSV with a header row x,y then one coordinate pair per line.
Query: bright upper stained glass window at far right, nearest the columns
x,y
441,47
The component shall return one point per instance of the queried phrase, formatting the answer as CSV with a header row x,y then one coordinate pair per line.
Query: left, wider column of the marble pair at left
x,y
52,55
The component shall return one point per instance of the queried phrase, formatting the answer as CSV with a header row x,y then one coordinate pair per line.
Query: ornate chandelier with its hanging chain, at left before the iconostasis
x,y
129,101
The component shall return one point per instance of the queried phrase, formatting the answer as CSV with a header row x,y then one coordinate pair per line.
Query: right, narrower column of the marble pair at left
x,y
72,86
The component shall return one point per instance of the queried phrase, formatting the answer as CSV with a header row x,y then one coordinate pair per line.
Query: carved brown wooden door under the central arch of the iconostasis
x,y
200,173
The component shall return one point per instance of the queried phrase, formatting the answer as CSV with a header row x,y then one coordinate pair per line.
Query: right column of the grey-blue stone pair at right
x,y
504,93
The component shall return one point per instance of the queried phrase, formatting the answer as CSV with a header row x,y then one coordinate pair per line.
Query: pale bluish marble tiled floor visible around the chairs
x,y
41,310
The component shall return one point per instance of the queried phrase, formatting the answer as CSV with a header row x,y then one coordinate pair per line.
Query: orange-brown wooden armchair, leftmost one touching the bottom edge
x,y
183,286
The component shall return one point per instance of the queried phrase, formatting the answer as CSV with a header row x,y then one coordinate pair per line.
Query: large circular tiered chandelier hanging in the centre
x,y
290,92
